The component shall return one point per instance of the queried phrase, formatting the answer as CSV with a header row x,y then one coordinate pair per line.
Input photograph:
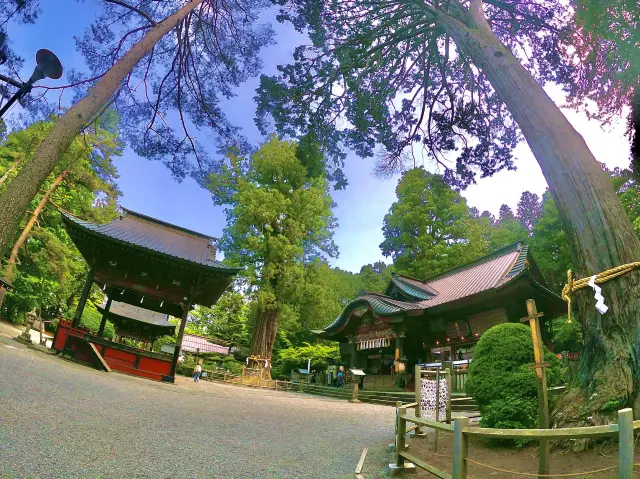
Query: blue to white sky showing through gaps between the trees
x,y
148,187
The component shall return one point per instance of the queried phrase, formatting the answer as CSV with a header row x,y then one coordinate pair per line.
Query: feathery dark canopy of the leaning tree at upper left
x,y
172,98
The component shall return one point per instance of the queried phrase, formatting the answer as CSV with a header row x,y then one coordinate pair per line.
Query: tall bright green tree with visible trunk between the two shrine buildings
x,y
278,217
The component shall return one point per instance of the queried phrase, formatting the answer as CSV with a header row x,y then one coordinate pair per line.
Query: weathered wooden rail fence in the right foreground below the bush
x,y
461,431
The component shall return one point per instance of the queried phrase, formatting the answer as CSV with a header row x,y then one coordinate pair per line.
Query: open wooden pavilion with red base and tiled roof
x,y
150,270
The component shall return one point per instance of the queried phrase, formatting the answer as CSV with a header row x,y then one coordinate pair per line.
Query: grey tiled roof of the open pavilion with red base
x,y
155,235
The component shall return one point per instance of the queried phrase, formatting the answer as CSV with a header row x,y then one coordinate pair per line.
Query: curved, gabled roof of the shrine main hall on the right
x,y
490,272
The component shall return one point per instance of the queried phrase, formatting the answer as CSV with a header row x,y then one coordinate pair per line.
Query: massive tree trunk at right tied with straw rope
x,y
600,233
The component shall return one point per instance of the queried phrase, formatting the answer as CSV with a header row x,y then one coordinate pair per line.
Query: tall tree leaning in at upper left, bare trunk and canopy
x,y
165,65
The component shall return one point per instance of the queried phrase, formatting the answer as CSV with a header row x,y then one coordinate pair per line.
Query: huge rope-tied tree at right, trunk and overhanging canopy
x,y
464,80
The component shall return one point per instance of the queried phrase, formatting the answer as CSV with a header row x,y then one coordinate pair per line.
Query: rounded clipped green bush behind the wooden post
x,y
501,381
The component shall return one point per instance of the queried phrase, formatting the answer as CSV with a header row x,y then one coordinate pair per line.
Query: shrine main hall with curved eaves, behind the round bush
x,y
443,317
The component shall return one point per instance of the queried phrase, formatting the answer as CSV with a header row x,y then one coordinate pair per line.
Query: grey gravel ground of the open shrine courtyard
x,y
59,419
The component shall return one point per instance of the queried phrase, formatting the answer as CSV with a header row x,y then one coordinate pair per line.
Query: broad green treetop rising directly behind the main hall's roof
x,y
428,230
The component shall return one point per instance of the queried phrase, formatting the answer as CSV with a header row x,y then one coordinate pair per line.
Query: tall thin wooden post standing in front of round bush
x,y
543,399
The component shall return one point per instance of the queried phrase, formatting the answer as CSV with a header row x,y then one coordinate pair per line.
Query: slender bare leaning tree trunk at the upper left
x,y
25,186
